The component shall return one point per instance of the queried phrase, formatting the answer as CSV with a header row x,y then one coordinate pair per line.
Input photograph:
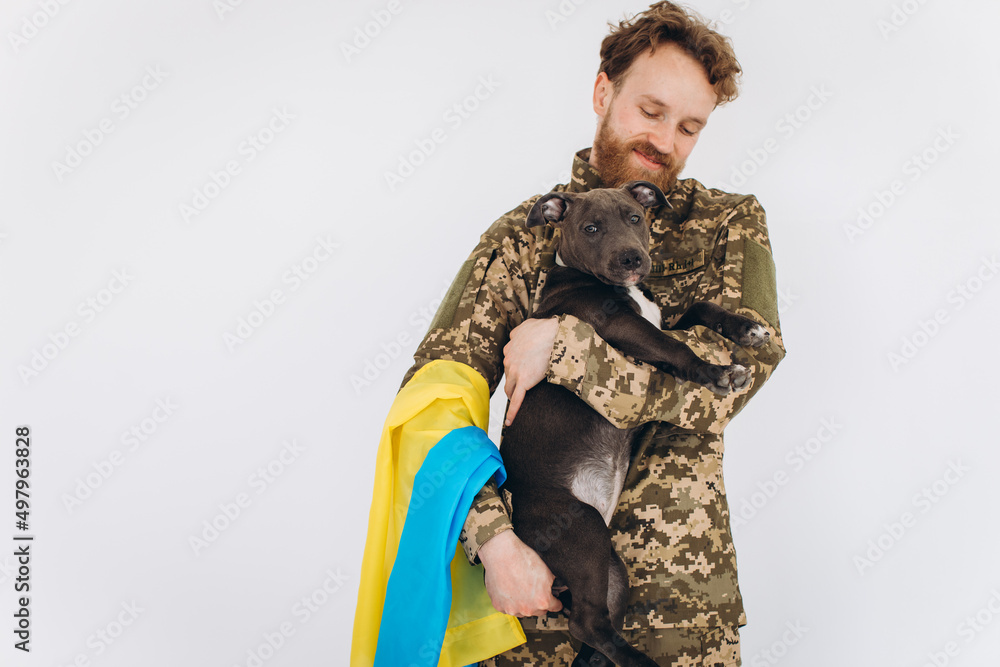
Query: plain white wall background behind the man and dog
x,y
824,549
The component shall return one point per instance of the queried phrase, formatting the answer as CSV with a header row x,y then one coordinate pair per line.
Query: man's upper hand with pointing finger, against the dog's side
x,y
526,358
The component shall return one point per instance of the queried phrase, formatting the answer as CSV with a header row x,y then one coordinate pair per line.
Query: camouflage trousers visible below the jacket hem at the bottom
x,y
672,647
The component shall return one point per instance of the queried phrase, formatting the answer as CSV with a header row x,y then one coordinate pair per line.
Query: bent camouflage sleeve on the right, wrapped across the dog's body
x,y
630,393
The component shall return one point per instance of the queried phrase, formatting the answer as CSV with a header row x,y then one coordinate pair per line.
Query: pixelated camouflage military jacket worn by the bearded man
x,y
671,526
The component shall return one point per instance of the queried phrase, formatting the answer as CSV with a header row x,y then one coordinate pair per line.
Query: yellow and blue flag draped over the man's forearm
x,y
419,601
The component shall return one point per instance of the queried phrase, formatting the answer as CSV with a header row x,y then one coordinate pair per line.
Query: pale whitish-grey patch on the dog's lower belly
x,y
598,478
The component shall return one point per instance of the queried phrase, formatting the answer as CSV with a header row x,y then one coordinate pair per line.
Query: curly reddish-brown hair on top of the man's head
x,y
666,22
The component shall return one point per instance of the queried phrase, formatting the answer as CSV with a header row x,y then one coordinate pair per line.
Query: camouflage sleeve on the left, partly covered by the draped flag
x,y
489,297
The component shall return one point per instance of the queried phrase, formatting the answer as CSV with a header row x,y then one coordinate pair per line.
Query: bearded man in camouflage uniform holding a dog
x,y
661,76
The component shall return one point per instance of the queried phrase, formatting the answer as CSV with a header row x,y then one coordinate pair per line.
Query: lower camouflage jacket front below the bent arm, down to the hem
x,y
672,525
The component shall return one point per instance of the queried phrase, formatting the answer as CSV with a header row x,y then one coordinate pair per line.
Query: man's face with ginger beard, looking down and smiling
x,y
650,124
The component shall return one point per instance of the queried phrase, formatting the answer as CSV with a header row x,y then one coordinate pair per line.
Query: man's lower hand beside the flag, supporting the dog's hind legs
x,y
517,579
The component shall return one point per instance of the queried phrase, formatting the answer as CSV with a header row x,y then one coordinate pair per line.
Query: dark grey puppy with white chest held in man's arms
x,y
566,463
